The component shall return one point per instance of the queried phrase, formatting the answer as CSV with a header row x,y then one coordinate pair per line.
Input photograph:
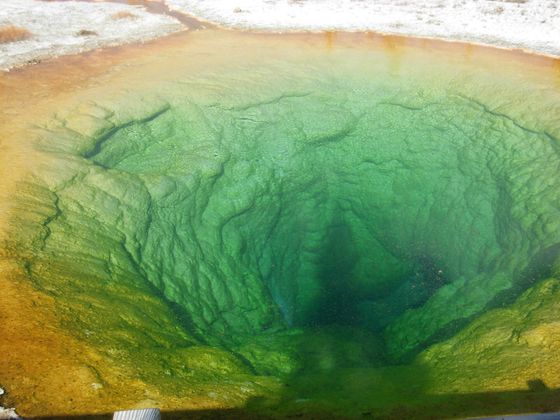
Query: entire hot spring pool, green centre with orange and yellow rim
x,y
323,225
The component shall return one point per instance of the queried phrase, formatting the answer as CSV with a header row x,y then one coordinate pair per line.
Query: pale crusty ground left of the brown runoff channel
x,y
59,28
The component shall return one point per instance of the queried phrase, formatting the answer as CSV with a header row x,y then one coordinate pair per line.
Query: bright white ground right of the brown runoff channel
x,y
528,24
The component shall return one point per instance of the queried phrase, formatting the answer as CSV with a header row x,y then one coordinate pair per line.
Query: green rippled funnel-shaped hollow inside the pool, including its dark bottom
x,y
348,230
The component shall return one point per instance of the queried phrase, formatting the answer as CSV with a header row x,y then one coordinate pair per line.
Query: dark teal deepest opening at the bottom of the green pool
x,y
339,304
